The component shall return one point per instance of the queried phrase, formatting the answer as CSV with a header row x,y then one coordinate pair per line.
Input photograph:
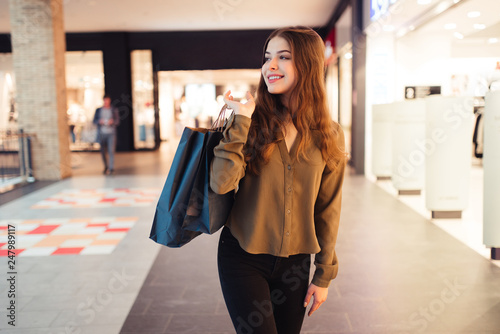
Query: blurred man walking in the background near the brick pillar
x,y
107,119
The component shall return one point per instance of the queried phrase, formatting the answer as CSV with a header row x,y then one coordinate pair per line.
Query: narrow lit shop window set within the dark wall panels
x,y
143,98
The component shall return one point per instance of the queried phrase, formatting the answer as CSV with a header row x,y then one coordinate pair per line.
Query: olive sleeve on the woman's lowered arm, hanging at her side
x,y
327,218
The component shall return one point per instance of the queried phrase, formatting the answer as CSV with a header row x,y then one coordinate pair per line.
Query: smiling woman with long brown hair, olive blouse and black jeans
x,y
285,158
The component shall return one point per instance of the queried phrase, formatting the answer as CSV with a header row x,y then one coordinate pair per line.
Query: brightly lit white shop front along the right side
x,y
432,71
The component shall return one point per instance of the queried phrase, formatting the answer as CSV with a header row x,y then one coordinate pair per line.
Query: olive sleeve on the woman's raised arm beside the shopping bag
x,y
228,165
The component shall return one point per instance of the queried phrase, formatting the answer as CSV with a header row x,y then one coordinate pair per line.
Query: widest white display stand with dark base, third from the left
x,y
447,147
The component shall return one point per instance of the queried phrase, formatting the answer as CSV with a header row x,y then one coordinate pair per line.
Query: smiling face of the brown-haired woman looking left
x,y
278,69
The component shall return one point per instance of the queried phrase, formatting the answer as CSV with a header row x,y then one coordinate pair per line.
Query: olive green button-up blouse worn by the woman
x,y
291,207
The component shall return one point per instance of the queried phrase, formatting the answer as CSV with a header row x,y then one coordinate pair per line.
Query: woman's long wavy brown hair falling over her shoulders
x,y
307,106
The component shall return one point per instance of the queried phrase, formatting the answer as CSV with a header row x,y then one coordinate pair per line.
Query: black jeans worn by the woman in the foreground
x,y
264,294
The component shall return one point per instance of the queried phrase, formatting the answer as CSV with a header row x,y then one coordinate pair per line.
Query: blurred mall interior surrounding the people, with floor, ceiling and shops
x,y
414,84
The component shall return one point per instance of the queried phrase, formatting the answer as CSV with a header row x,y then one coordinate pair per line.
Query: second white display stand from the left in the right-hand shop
x,y
408,155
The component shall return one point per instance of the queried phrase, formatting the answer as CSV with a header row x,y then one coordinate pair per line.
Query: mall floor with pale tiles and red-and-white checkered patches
x,y
399,273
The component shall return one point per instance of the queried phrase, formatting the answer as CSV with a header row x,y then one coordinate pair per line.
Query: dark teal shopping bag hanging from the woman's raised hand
x,y
187,207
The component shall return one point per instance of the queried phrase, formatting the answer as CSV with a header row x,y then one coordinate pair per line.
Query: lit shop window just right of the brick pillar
x,y
85,89
